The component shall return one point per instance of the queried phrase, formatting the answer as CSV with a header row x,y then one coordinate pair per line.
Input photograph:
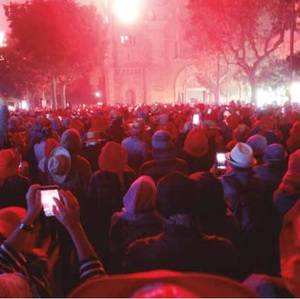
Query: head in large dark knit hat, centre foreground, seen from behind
x,y
176,194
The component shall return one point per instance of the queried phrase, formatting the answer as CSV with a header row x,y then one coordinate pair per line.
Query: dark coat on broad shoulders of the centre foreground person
x,y
183,249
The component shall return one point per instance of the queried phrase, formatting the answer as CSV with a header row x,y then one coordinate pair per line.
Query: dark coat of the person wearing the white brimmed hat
x,y
255,212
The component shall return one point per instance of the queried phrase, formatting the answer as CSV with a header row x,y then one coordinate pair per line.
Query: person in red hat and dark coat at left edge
x,y
13,186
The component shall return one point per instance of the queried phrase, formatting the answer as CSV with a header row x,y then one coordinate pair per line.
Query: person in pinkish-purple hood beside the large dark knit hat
x,y
138,218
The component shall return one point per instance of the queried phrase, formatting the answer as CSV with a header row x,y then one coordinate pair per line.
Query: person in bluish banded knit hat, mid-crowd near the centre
x,y
164,157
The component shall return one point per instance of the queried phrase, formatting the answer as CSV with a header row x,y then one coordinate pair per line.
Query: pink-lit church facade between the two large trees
x,y
147,61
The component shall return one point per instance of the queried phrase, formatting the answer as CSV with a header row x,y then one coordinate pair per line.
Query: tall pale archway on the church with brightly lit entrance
x,y
189,89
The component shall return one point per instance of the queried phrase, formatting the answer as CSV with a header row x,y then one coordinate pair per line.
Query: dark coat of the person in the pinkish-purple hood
x,y
124,231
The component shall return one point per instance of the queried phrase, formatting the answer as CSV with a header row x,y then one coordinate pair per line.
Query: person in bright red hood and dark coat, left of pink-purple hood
x,y
106,190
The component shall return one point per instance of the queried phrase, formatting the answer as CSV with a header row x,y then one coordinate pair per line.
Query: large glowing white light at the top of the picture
x,y
127,11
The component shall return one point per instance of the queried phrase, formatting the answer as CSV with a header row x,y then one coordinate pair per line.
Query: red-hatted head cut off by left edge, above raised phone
x,y
9,163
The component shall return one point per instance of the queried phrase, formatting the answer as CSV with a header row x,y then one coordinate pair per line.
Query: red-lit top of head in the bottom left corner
x,y
13,285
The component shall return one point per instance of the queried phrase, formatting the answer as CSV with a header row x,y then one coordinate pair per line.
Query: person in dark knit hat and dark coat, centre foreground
x,y
181,246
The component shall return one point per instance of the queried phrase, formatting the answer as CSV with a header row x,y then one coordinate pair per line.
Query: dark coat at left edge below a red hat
x,y
13,192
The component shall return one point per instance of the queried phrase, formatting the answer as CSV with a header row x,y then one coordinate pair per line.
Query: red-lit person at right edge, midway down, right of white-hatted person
x,y
288,192
